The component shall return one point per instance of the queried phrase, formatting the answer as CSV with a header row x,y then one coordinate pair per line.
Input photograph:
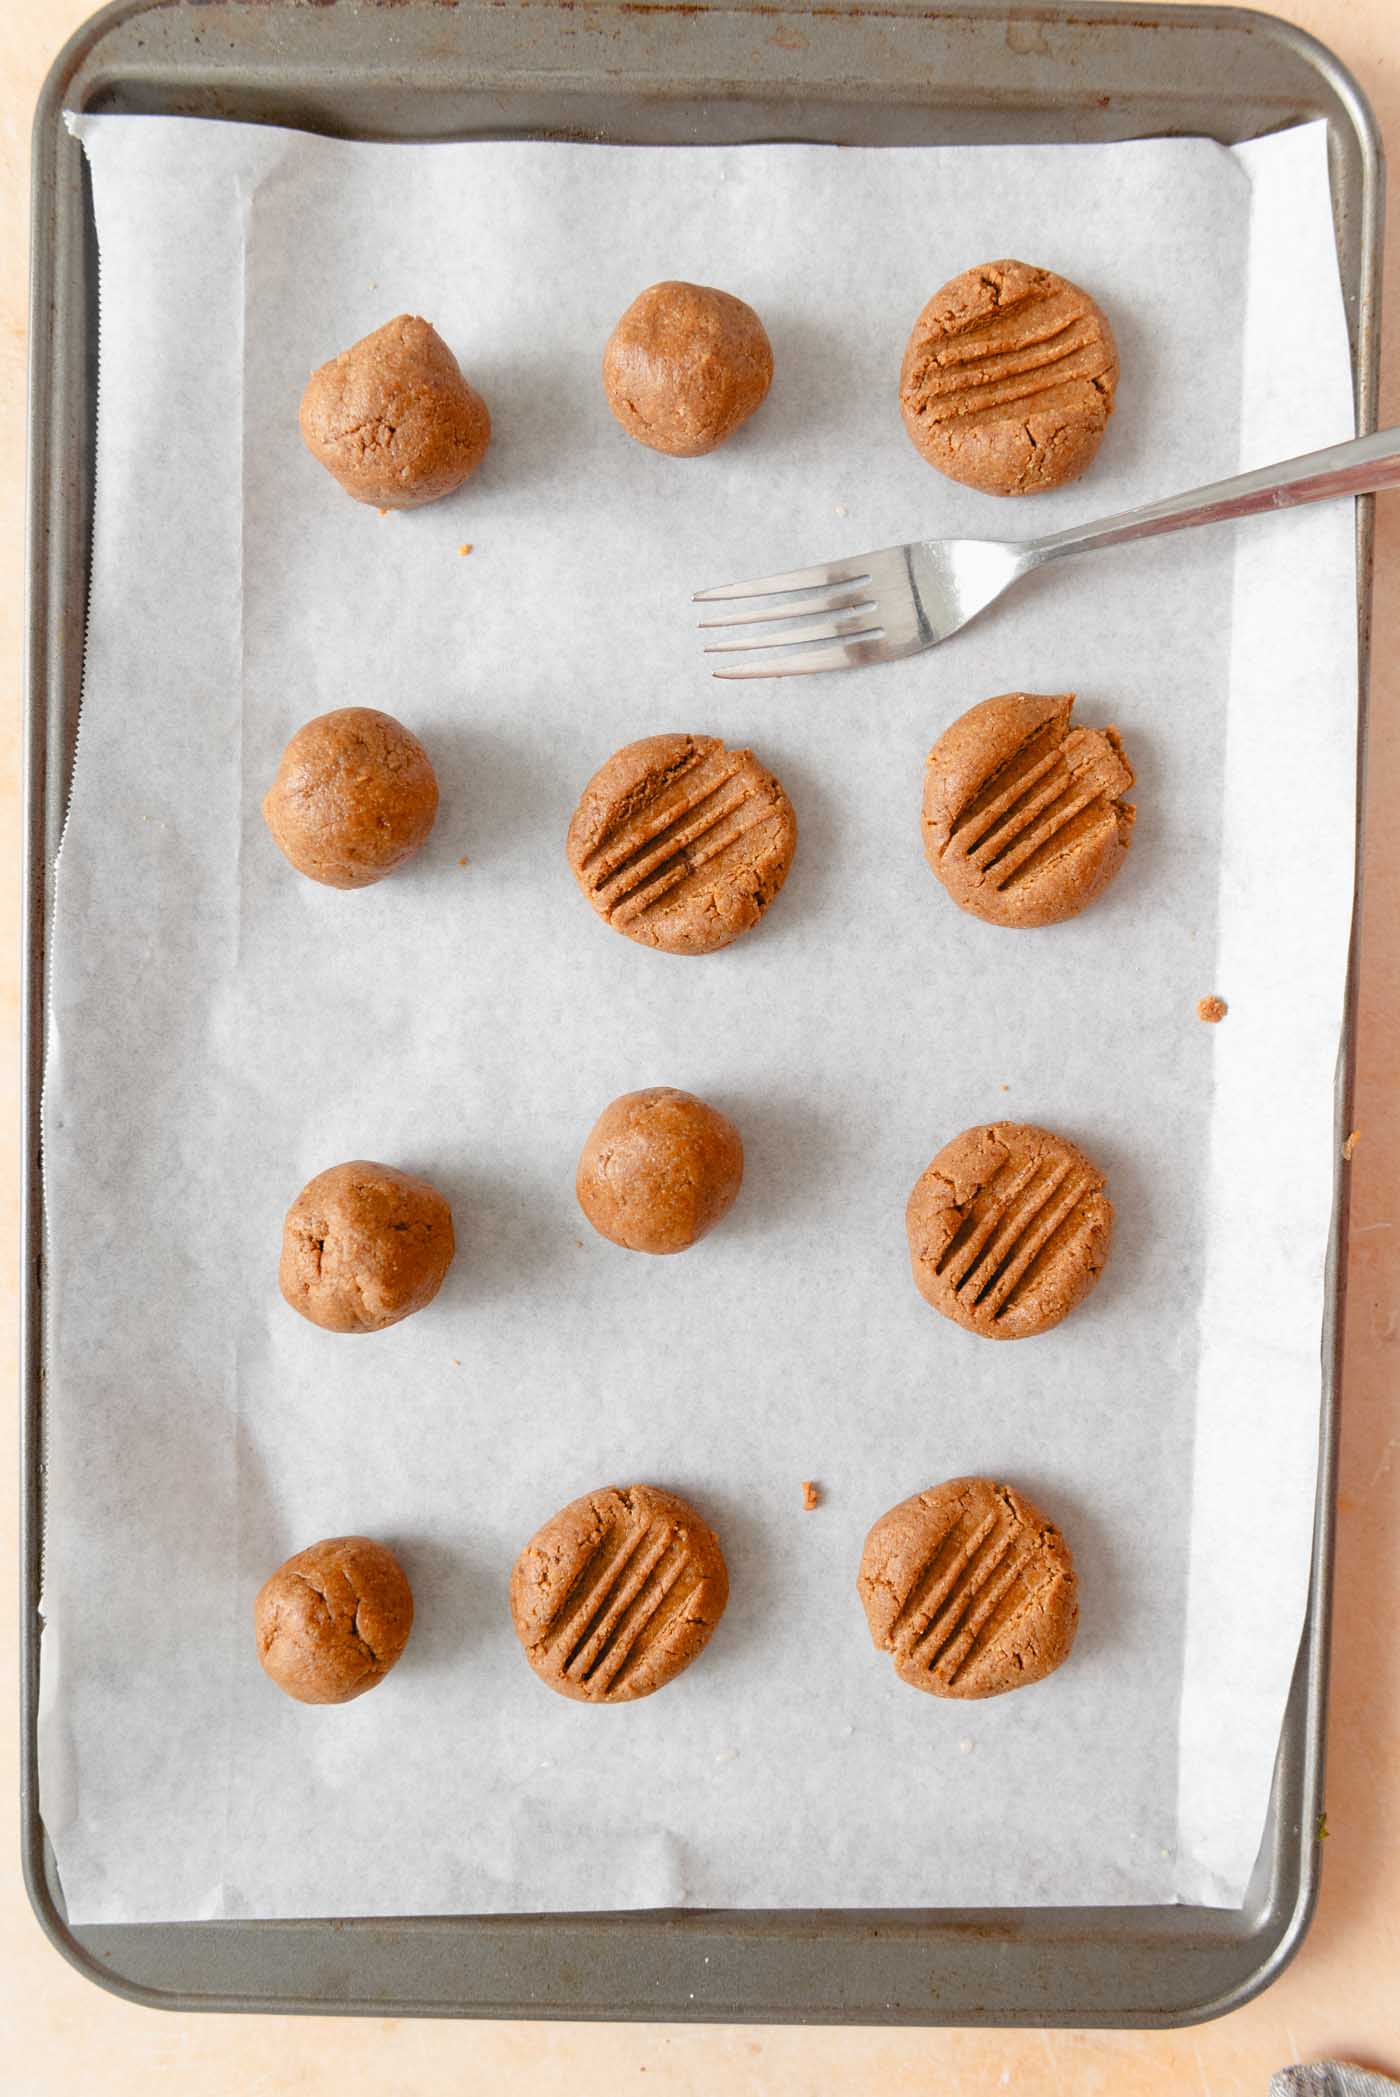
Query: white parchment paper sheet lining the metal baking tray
x,y
223,1031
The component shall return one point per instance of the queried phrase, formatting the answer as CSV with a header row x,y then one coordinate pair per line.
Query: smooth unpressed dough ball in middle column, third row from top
x,y
659,1171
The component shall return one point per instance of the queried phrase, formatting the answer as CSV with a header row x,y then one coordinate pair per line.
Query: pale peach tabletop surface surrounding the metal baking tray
x,y
1342,1995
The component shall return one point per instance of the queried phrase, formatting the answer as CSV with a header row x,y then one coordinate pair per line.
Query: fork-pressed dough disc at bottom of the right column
x,y
969,1588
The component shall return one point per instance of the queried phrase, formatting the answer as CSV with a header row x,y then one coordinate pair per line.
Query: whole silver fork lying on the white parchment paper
x,y
906,599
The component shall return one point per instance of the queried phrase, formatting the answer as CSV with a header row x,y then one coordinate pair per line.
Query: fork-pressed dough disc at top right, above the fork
x,y
1009,381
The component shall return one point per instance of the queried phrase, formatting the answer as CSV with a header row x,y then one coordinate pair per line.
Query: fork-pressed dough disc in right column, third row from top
x,y
1009,1230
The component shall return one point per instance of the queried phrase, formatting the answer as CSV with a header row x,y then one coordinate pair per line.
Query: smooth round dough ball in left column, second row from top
x,y
355,796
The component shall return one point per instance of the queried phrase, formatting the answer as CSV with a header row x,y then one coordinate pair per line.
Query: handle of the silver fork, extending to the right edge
x,y
1355,469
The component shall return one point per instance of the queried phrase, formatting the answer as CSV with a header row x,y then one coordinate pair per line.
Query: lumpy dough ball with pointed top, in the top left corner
x,y
395,420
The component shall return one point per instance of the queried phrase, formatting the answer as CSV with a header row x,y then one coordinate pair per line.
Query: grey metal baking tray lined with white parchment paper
x,y
890,74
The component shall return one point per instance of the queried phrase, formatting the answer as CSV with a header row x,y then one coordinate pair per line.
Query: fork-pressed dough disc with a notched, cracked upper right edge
x,y
1024,815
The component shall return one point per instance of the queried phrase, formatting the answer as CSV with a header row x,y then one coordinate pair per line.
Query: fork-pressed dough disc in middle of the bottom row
x,y
619,1593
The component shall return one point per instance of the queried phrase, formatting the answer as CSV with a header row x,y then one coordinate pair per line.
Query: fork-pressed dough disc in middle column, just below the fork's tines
x,y
682,844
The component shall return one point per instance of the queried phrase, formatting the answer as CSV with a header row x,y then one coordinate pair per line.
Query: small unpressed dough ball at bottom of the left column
x,y
334,1620
